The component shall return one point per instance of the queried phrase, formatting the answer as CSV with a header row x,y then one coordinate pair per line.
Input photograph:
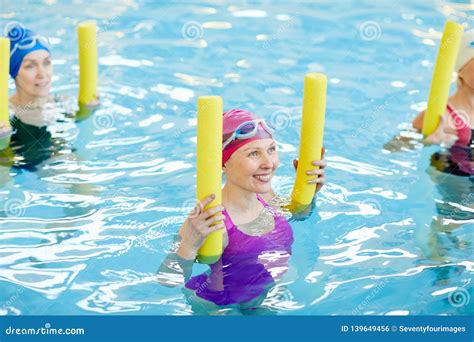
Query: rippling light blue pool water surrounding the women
x,y
86,232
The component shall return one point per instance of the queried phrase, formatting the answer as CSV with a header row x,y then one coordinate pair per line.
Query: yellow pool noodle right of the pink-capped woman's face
x,y
311,141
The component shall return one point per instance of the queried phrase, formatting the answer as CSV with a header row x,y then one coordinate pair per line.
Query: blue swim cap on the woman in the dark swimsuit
x,y
22,42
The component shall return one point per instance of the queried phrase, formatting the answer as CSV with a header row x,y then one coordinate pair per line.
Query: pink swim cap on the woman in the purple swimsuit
x,y
231,120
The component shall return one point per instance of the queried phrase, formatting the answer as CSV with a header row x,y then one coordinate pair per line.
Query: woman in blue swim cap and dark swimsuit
x,y
33,109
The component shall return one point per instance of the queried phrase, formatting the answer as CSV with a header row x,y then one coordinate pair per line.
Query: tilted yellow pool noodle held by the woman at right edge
x,y
440,83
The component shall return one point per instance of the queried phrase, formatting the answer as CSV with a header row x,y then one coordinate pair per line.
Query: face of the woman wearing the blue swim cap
x,y
34,76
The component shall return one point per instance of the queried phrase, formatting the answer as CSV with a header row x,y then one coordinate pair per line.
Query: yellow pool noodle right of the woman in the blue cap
x,y
88,64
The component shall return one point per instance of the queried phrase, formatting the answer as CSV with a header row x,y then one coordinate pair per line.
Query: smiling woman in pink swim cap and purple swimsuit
x,y
257,236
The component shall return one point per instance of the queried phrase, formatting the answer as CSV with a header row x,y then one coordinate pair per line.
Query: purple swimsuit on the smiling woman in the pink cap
x,y
239,276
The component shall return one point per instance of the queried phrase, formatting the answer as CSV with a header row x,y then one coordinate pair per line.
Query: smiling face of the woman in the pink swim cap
x,y
252,166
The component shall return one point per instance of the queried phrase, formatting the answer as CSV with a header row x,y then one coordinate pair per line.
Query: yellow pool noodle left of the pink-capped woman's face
x,y
209,167
